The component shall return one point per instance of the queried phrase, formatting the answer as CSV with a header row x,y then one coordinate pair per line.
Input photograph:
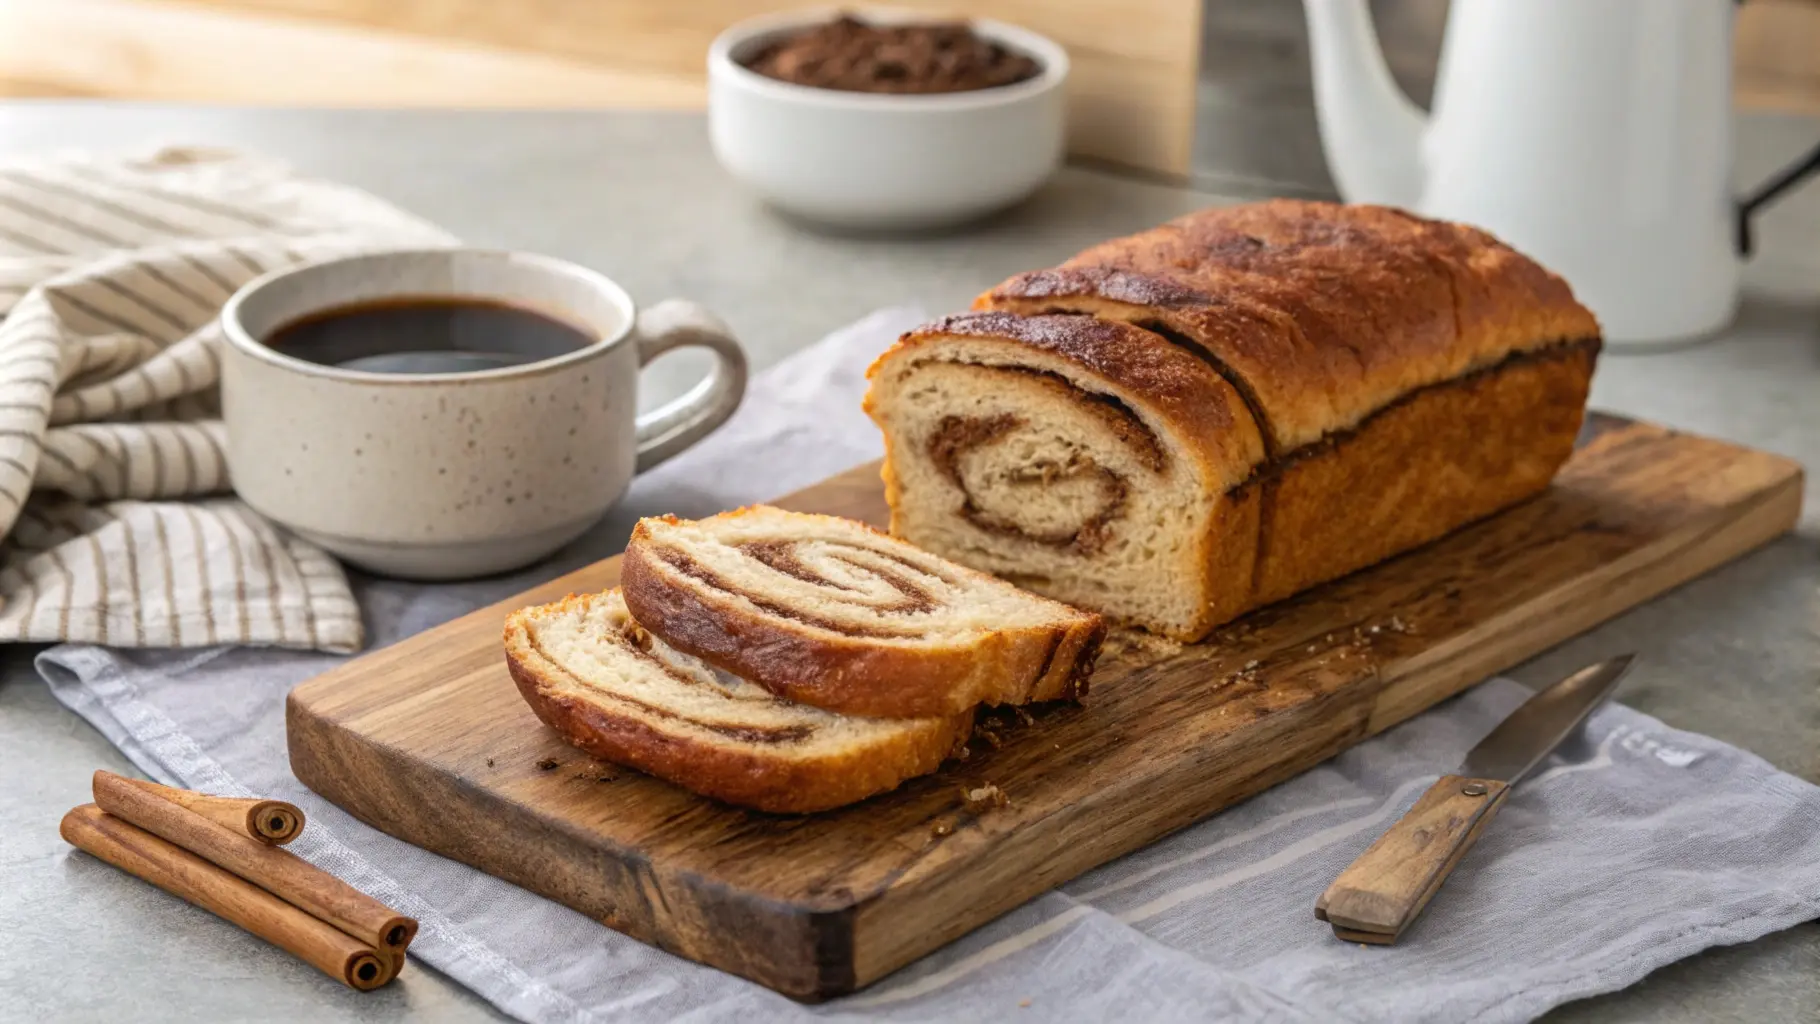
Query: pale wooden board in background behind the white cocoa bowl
x,y
1131,95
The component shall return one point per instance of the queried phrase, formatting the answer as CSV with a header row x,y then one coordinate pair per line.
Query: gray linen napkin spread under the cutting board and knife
x,y
1637,847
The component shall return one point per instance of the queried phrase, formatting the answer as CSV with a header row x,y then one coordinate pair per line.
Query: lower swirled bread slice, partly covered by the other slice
x,y
602,681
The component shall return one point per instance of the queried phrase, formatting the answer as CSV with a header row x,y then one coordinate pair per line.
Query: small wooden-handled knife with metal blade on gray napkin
x,y
1386,888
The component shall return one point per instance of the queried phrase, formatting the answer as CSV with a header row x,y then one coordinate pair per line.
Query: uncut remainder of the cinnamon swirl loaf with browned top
x,y
1217,414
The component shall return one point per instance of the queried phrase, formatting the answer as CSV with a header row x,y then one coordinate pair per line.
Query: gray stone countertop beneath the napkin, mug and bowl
x,y
1735,656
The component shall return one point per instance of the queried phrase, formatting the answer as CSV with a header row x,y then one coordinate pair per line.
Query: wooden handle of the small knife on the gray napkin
x,y
1380,894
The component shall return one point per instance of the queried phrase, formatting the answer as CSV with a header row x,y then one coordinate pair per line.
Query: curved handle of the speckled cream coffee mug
x,y
682,423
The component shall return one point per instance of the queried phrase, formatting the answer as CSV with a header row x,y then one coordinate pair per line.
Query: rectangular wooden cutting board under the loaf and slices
x,y
430,741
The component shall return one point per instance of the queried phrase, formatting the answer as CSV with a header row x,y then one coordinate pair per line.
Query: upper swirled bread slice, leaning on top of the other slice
x,y
834,614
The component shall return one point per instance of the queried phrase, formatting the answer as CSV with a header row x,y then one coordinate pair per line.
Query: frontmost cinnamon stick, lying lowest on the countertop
x,y
256,910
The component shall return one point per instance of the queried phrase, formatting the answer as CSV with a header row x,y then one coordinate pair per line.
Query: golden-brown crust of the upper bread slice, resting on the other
x,y
856,676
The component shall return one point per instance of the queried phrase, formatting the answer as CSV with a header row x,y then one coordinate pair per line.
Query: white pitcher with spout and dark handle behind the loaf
x,y
1595,136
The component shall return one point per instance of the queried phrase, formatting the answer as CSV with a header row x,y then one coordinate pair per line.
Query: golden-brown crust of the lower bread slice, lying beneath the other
x,y
747,776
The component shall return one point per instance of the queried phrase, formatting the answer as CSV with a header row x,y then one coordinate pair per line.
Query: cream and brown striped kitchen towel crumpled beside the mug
x,y
116,508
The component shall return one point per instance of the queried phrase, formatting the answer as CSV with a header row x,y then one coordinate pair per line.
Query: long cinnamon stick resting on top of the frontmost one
x,y
279,872
